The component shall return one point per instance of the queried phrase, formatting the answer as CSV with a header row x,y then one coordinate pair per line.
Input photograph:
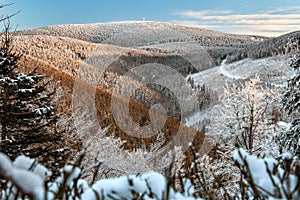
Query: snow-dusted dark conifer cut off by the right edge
x,y
290,139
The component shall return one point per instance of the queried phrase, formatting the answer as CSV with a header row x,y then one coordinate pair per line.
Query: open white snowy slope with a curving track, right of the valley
x,y
273,70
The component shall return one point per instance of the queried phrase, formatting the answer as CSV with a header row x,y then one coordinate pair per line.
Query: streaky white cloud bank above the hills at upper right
x,y
272,22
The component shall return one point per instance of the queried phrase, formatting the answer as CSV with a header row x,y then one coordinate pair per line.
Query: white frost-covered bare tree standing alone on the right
x,y
245,118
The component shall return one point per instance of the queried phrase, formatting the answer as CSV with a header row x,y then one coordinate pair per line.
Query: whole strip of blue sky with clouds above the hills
x,y
262,17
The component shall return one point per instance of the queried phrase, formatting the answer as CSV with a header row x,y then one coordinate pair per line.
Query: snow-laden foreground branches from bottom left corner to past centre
x,y
24,180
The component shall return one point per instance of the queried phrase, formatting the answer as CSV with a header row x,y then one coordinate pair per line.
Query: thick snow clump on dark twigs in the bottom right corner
x,y
264,178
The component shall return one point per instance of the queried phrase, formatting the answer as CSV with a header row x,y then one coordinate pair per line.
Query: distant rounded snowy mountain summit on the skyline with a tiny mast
x,y
138,33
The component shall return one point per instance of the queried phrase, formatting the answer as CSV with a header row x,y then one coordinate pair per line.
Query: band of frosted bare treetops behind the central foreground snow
x,y
105,156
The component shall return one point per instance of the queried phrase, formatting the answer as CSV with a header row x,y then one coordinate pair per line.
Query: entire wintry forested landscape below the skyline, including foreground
x,y
148,110
